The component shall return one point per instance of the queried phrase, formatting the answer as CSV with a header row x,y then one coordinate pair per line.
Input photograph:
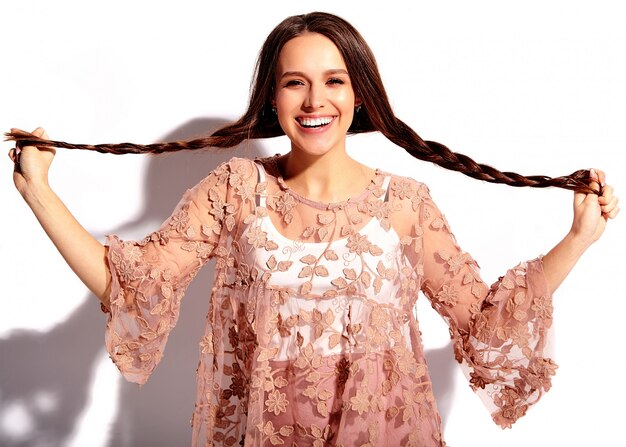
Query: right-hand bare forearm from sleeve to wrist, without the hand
x,y
561,259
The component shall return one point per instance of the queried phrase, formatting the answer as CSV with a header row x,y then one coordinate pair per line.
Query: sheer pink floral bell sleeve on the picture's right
x,y
500,333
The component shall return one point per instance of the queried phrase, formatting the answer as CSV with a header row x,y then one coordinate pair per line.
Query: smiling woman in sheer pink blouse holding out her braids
x,y
311,339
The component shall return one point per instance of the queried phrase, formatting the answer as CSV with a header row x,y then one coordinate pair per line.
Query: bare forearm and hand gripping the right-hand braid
x,y
590,215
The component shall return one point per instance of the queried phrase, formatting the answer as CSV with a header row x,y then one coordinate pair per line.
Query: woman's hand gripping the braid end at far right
x,y
591,211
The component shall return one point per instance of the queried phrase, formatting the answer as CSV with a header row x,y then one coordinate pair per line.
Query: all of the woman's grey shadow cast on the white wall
x,y
48,375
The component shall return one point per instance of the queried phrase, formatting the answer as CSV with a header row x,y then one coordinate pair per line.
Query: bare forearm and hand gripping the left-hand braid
x,y
83,253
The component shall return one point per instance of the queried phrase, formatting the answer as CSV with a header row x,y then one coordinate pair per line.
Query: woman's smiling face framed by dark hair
x,y
314,98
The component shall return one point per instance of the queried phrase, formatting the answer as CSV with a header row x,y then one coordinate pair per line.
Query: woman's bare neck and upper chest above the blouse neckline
x,y
331,177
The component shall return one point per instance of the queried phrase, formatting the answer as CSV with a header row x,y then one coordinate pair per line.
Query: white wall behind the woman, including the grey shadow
x,y
535,87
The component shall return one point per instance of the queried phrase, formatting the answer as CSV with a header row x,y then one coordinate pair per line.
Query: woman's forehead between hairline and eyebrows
x,y
309,52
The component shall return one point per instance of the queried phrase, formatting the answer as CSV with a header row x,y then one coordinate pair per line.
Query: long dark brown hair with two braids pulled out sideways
x,y
375,113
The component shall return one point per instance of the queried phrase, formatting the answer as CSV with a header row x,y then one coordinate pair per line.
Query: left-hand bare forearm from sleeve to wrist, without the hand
x,y
83,253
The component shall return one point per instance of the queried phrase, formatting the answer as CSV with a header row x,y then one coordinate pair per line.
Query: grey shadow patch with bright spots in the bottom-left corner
x,y
44,378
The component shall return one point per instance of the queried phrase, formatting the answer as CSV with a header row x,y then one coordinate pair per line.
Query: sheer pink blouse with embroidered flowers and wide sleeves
x,y
311,337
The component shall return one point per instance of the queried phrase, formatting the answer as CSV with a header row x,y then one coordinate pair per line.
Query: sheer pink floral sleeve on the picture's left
x,y
149,277
